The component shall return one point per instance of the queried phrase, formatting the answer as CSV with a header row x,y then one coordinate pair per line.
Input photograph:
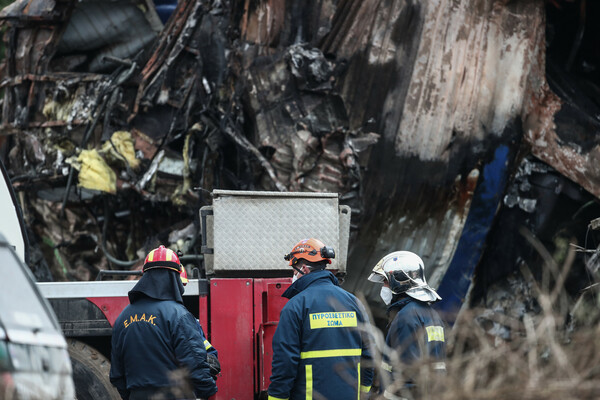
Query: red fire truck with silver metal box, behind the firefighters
x,y
244,237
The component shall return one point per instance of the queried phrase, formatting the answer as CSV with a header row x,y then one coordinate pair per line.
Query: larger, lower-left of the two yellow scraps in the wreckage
x,y
94,172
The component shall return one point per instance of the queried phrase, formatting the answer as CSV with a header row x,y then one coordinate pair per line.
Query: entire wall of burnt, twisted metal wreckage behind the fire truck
x,y
434,120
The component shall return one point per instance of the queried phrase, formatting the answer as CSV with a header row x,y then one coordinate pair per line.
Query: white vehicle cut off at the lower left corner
x,y
34,361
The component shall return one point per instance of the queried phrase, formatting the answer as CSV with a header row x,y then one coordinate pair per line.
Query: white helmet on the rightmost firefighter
x,y
405,273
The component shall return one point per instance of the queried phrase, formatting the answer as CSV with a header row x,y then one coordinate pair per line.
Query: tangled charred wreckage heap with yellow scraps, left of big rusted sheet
x,y
114,127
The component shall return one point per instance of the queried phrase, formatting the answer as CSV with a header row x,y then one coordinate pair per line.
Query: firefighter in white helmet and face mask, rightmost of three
x,y
415,331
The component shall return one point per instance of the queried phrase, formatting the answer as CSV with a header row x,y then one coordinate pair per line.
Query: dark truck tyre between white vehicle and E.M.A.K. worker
x,y
90,373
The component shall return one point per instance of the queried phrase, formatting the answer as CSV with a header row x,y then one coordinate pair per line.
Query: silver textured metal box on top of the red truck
x,y
254,230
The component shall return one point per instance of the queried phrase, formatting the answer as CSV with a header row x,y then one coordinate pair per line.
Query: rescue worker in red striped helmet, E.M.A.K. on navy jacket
x,y
155,336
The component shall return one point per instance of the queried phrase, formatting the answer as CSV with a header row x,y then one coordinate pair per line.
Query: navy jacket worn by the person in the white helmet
x,y
416,332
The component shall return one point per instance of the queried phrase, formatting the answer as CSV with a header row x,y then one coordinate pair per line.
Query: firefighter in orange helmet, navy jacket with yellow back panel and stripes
x,y
320,340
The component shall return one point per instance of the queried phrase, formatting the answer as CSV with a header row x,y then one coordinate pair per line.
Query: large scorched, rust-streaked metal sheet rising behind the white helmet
x,y
444,84
